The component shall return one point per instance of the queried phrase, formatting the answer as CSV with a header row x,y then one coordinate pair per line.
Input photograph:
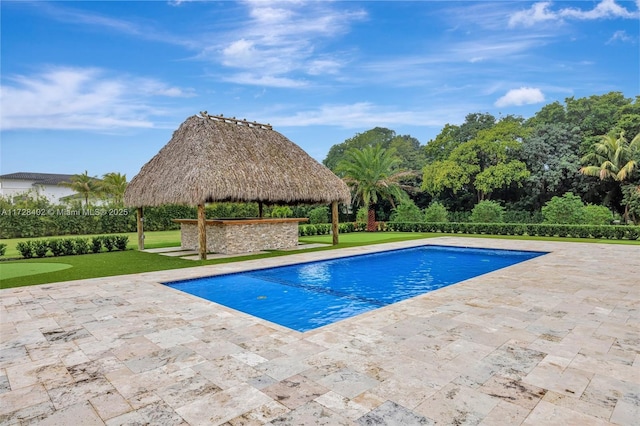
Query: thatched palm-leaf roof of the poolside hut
x,y
210,159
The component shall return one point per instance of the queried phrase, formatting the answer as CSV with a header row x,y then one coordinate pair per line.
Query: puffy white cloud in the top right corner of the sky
x,y
541,12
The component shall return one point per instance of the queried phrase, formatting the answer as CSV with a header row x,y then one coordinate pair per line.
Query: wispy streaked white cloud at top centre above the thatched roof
x,y
279,42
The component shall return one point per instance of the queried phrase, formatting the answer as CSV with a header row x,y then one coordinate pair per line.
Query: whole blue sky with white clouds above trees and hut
x,y
101,86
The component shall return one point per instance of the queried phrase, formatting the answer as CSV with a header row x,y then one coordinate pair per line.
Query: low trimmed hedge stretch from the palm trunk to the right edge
x,y
611,232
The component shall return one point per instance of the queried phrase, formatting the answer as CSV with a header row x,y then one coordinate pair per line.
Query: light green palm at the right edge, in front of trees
x,y
615,159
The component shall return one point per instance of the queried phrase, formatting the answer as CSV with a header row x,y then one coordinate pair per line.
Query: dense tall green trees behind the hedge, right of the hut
x,y
520,163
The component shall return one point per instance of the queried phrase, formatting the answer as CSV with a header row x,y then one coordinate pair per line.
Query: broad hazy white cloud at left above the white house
x,y
81,98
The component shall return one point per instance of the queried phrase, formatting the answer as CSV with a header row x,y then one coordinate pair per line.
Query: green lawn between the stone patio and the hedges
x,y
26,272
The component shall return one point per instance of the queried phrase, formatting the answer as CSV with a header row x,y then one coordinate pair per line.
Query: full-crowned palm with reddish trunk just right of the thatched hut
x,y
372,173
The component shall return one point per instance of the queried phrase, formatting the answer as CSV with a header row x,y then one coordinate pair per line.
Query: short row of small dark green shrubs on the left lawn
x,y
71,246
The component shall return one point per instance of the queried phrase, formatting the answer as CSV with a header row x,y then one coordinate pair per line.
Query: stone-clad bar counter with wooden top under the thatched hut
x,y
246,235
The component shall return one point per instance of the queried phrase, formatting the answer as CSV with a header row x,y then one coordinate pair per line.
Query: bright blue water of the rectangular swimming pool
x,y
309,295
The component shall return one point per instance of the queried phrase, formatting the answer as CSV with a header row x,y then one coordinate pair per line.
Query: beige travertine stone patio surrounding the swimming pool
x,y
554,340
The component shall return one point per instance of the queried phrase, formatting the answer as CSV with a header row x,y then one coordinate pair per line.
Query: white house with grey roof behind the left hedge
x,y
45,184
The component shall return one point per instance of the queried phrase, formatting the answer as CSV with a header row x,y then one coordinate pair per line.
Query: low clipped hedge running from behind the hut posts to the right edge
x,y
609,232
